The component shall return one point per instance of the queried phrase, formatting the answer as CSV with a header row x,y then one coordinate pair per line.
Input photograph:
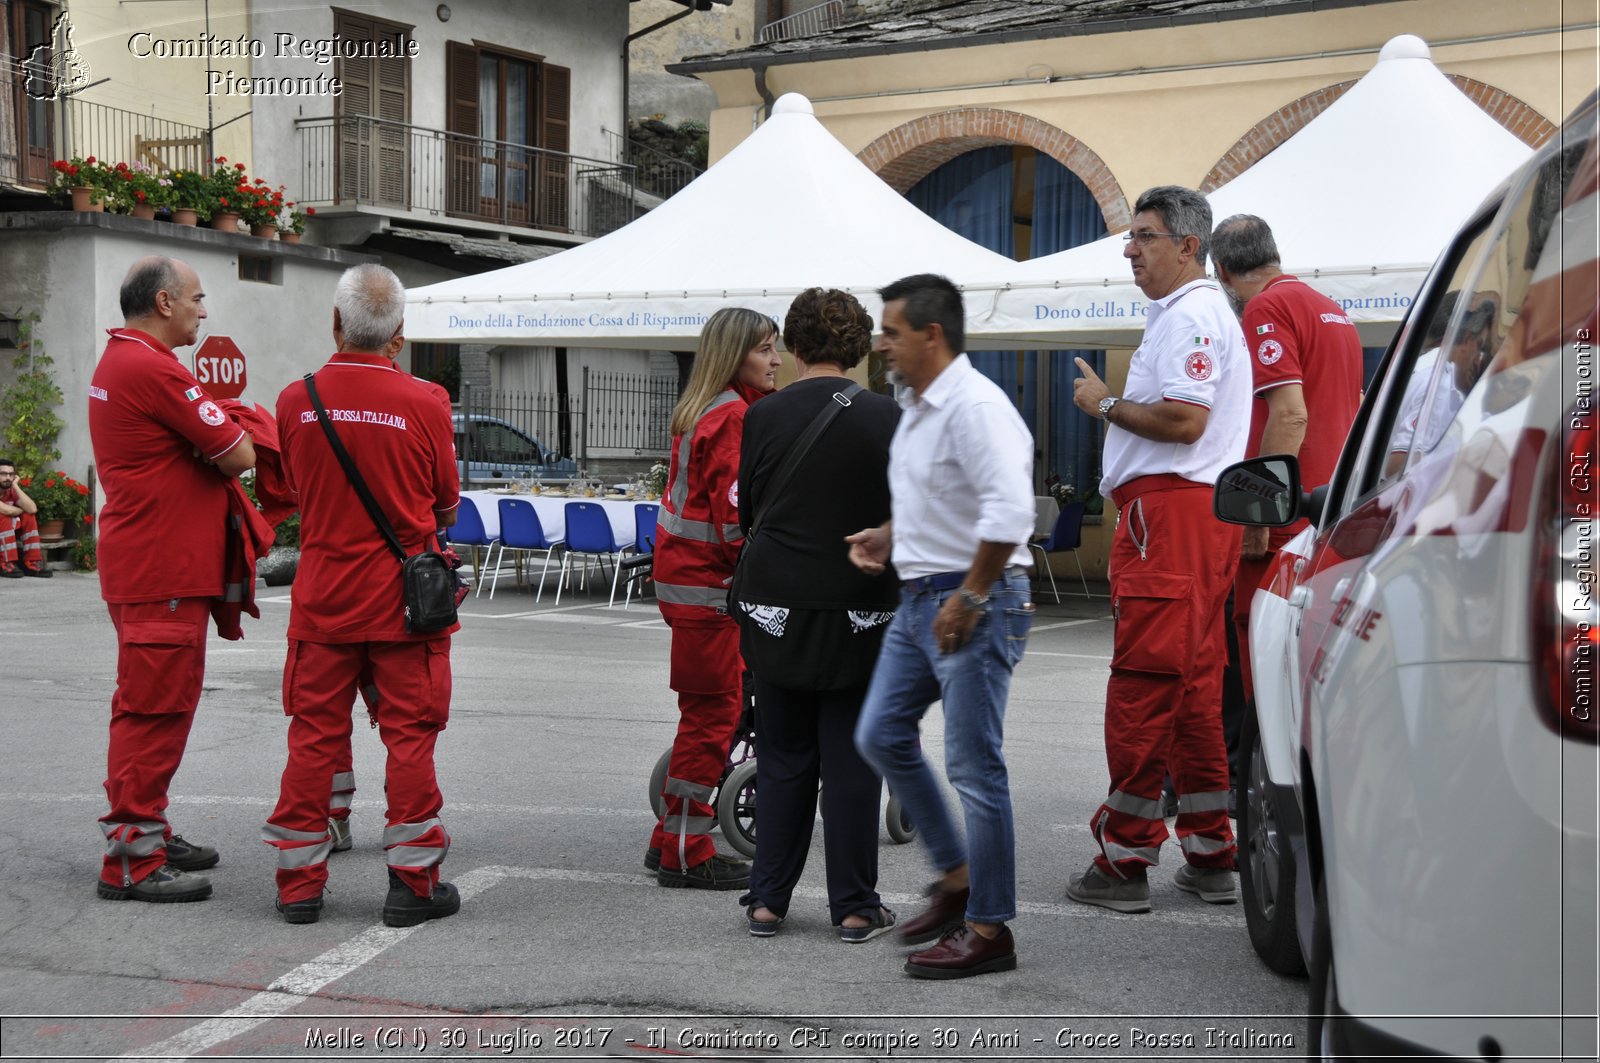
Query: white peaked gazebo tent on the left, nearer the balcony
x,y
790,209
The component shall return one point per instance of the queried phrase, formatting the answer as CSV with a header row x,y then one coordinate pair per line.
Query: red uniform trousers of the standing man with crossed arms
x,y
161,667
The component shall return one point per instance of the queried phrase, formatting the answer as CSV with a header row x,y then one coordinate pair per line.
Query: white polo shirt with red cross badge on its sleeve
x,y
1193,351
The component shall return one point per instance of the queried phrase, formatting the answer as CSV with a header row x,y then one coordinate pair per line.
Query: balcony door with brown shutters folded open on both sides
x,y
503,105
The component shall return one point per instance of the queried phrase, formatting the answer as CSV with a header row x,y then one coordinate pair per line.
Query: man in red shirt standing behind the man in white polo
x,y
1306,359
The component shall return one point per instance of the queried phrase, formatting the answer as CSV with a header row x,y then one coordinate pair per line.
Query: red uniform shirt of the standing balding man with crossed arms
x,y
164,527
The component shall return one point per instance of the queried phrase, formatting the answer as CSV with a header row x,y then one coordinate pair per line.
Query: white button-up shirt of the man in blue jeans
x,y
961,473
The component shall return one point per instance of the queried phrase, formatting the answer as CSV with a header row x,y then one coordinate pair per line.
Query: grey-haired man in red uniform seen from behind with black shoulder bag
x,y
348,611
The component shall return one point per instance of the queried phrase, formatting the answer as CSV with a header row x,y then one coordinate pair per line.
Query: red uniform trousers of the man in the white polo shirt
x,y
1172,564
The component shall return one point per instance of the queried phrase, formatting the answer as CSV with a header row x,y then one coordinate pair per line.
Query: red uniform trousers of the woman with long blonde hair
x,y
708,675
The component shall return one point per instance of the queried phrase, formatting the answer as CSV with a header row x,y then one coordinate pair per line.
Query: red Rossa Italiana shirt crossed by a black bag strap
x,y
399,436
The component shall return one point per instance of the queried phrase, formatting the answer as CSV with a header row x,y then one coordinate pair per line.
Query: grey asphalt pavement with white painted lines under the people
x,y
564,947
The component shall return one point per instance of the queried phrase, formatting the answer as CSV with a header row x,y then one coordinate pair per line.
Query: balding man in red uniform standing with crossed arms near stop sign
x,y
164,452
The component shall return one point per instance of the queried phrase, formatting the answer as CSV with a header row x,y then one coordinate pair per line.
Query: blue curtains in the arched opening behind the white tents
x,y
972,196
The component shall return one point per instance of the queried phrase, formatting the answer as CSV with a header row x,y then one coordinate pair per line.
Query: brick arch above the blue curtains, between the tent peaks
x,y
910,153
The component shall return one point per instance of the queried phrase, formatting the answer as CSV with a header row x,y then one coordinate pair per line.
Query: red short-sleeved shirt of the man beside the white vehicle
x,y
1297,335
